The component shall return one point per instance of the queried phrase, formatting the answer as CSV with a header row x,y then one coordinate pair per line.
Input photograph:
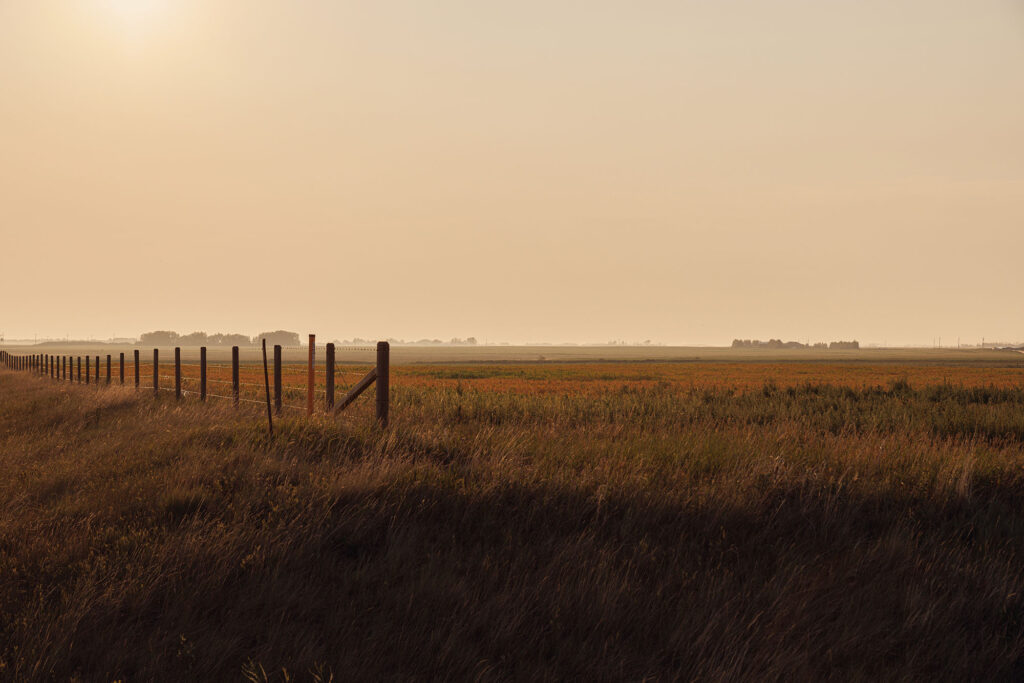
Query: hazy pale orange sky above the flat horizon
x,y
687,172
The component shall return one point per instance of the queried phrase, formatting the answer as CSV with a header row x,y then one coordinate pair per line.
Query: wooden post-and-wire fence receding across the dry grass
x,y
69,368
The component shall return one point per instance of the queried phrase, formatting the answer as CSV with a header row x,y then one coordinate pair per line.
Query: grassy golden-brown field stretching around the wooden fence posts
x,y
859,519
